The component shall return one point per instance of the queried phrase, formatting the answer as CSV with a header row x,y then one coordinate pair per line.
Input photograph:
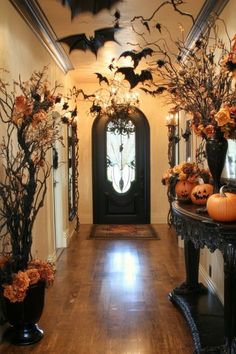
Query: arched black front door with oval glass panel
x,y
121,164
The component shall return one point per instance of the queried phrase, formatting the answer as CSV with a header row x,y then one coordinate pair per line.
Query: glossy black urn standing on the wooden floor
x,y
23,316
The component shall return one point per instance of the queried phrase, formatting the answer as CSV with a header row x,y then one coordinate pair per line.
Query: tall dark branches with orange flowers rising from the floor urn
x,y
31,114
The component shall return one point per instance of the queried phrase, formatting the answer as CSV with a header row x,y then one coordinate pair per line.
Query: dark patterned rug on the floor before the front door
x,y
123,232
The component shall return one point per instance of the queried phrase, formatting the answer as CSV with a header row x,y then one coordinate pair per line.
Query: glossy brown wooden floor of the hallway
x,y
111,297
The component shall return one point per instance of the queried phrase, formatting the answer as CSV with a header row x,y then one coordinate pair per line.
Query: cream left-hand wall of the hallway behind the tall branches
x,y
22,53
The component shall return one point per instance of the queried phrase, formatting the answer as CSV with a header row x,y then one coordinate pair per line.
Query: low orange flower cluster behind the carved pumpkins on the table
x,y
185,171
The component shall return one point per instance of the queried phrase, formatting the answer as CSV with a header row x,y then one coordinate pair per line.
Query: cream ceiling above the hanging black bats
x,y
85,64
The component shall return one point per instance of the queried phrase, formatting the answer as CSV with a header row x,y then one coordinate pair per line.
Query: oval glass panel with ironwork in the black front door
x,y
121,157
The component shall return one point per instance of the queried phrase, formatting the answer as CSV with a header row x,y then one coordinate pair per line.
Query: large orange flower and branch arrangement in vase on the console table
x,y
198,78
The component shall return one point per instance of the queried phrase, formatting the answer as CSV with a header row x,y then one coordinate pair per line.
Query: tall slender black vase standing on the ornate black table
x,y
216,150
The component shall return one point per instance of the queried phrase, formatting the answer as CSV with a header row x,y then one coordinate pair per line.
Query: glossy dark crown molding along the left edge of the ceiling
x,y
33,15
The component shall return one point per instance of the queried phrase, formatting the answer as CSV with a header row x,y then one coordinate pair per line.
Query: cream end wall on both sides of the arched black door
x,y
155,111
